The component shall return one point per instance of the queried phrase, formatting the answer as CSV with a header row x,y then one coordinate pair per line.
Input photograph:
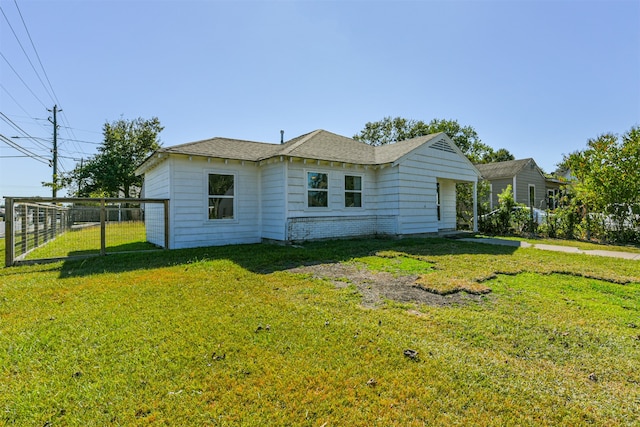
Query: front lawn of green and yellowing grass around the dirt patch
x,y
226,336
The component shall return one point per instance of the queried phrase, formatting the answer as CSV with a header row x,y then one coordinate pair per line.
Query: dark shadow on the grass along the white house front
x,y
268,258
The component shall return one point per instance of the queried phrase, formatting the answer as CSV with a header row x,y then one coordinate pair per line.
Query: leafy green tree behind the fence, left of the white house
x,y
110,173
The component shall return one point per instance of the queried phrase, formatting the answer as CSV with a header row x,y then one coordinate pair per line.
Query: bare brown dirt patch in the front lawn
x,y
375,287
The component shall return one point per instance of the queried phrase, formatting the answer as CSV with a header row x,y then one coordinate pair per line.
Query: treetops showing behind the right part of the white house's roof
x,y
390,130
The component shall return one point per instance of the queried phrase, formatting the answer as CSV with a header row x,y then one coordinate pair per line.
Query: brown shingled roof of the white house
x,y
317,145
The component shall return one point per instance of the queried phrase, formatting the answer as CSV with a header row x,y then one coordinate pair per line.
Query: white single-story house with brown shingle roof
x,y
318,185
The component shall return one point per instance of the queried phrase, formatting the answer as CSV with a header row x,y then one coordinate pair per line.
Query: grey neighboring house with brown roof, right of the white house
x,y
530,186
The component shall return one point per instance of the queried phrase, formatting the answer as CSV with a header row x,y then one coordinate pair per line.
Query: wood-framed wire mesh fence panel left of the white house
x,y
38,229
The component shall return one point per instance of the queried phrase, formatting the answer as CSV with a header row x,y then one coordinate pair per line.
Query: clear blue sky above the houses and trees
x,y
538,78
